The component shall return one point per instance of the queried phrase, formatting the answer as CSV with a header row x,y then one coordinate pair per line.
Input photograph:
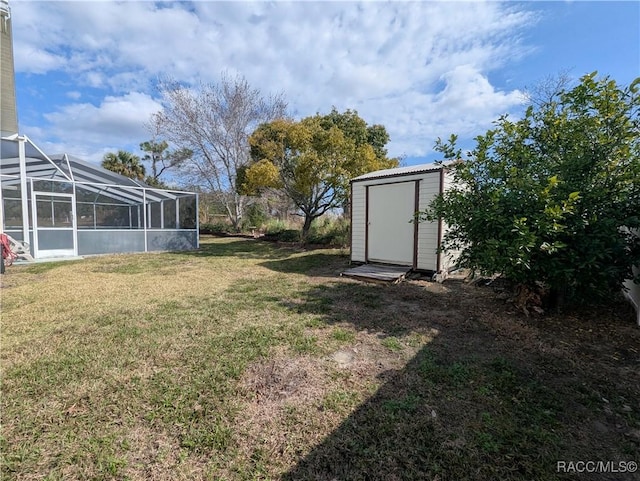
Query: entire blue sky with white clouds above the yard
x,y
86,70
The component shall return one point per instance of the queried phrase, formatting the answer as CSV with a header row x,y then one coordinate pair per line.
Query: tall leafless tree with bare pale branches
x,y
213,122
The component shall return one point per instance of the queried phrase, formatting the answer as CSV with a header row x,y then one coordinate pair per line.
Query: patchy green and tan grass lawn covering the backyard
x,y
248,361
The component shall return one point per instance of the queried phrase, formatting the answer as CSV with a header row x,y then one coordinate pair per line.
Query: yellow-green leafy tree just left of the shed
x,y
311,160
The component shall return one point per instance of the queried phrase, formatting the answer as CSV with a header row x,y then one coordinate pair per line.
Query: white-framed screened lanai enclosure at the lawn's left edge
x,y
63,206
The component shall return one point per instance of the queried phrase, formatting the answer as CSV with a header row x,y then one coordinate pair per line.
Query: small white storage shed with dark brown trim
x,y
383,204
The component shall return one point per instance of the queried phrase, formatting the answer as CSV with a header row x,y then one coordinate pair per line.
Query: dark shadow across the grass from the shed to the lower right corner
x,y
470,405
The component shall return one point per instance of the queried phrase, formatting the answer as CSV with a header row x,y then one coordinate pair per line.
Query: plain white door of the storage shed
x,y
390,234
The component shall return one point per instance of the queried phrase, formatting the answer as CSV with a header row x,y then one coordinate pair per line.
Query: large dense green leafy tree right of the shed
x,y
551,199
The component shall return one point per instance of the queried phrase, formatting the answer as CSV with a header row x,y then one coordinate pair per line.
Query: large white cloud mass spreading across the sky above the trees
x,y
419,68
